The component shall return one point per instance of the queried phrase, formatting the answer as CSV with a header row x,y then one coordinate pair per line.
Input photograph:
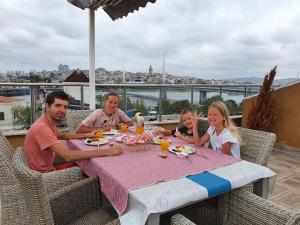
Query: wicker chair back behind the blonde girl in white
x,y
256,146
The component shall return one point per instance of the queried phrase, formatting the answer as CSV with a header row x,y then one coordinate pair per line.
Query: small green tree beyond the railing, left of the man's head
x,y
21,116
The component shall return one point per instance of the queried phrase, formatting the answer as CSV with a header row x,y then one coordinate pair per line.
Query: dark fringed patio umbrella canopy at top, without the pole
x,y
116,9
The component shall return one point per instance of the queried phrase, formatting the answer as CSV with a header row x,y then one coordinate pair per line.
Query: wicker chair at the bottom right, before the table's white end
x,y
244,207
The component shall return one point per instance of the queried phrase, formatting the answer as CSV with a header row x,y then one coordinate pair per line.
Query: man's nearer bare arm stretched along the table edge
x,y
73,155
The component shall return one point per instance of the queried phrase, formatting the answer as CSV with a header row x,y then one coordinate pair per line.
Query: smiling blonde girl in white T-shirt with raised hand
x,y
222,133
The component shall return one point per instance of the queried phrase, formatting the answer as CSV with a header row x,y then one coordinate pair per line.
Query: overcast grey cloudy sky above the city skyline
x,y
210,39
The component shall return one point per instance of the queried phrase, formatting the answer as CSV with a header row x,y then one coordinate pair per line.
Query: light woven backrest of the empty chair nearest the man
x,y
34,191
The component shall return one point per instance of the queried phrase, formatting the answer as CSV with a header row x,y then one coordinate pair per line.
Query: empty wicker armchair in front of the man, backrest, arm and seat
x,y
76,204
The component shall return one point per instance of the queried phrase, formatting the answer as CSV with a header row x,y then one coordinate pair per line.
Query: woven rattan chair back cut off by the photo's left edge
x,y
13,208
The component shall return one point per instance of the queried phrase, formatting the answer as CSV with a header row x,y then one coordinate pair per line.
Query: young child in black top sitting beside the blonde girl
x,y
185,132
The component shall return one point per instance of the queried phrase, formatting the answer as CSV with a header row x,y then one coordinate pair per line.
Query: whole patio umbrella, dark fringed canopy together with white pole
x,y
116,9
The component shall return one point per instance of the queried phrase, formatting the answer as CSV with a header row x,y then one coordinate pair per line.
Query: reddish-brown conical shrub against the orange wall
x,y
262,113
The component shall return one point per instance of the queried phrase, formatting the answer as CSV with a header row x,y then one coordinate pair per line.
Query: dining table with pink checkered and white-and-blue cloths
x,y
141,185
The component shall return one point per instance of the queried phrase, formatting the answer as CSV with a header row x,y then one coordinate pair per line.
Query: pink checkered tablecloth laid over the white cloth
x,y
131,170
